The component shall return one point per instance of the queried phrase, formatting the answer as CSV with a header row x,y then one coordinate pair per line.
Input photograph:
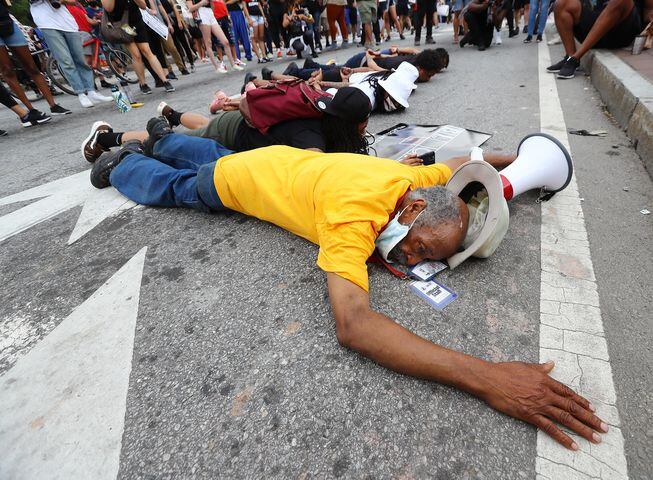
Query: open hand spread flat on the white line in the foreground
x,y
525,391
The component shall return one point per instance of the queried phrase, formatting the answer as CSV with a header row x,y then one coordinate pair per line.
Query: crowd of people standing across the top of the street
x,y
230,33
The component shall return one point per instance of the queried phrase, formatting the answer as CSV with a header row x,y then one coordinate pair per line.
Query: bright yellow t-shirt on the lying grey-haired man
x,y
339,201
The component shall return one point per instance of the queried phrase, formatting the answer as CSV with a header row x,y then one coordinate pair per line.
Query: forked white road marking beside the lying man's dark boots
x,y
59,196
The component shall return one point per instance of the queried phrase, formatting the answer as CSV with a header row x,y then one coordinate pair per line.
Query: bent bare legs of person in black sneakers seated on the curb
x,y
567,14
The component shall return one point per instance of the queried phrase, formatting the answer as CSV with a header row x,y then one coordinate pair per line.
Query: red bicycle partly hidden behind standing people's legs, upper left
x,y
118,61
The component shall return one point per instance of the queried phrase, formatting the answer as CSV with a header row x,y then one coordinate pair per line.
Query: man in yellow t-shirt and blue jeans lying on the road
x,y
349,205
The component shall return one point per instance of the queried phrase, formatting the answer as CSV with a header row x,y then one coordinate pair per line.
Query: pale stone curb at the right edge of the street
x,y
628,96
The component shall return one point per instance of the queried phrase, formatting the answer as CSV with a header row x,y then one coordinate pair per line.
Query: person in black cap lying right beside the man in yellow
x,y
341,128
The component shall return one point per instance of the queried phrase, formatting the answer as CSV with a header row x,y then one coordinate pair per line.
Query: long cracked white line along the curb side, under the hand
x,y
571,328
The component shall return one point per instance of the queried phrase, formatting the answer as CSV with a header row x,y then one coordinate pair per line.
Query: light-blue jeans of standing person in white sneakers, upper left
x,y
67,50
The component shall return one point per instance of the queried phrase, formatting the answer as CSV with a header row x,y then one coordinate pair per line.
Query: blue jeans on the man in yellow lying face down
x,y
180,176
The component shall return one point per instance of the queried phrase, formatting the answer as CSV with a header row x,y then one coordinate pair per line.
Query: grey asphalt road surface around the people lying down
x,y
236,372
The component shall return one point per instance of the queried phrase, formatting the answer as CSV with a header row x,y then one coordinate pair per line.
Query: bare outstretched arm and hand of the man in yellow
x,y
522,390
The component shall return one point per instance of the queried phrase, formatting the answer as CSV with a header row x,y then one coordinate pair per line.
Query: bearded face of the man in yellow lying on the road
x,y
426,243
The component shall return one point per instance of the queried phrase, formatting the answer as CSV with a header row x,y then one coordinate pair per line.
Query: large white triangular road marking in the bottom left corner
x,y
63,404
